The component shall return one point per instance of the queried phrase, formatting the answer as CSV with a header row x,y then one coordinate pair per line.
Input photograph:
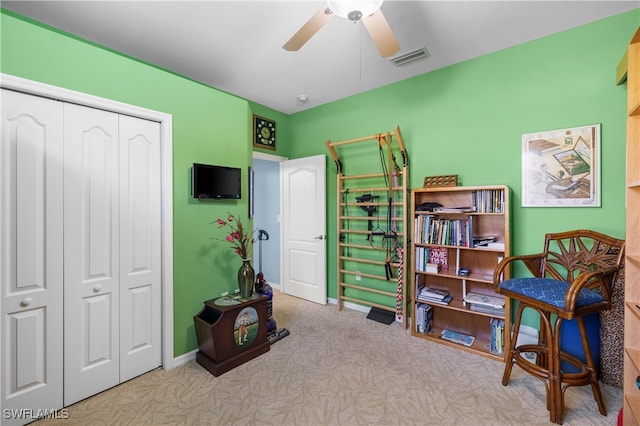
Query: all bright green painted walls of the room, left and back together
x,y
465,119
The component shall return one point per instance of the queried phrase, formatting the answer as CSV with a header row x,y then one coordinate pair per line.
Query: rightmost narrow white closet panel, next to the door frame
x,y
140,247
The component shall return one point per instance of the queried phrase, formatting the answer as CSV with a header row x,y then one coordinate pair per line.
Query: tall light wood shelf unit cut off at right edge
x,y
631,408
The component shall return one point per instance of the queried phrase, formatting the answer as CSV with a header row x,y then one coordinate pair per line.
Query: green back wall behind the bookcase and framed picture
x,y
467,119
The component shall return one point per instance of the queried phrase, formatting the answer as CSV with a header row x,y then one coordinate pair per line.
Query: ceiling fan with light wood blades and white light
x,y
367,11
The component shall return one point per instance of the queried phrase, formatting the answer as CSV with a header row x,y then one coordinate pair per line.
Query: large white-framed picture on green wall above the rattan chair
x,y
561,168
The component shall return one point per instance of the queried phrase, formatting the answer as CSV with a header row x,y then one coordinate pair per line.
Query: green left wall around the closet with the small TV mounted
x,y
209,126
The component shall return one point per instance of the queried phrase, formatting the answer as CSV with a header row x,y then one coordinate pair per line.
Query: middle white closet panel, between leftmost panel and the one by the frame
x,y
91,258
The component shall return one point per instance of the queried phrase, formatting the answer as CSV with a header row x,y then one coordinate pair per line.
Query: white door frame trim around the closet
x,y
31,87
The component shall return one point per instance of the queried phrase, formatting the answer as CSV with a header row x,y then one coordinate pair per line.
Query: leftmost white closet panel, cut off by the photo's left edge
x,y
31,274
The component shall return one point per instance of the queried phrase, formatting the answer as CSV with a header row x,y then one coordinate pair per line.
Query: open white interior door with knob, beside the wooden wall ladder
x,y
304,261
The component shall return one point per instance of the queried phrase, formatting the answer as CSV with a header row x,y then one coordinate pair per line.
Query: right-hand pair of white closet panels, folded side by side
x,y
112,250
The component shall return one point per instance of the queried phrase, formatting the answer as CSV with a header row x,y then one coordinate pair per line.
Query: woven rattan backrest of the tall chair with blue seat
x,y
567,254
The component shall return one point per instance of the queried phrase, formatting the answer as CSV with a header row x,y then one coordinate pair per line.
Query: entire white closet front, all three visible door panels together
x,y
80,229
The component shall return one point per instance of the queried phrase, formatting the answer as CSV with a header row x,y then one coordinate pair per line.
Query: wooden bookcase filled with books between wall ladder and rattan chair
x,y
456,223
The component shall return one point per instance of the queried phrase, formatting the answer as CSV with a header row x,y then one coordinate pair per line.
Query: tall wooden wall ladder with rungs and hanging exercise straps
x,y
372,256
